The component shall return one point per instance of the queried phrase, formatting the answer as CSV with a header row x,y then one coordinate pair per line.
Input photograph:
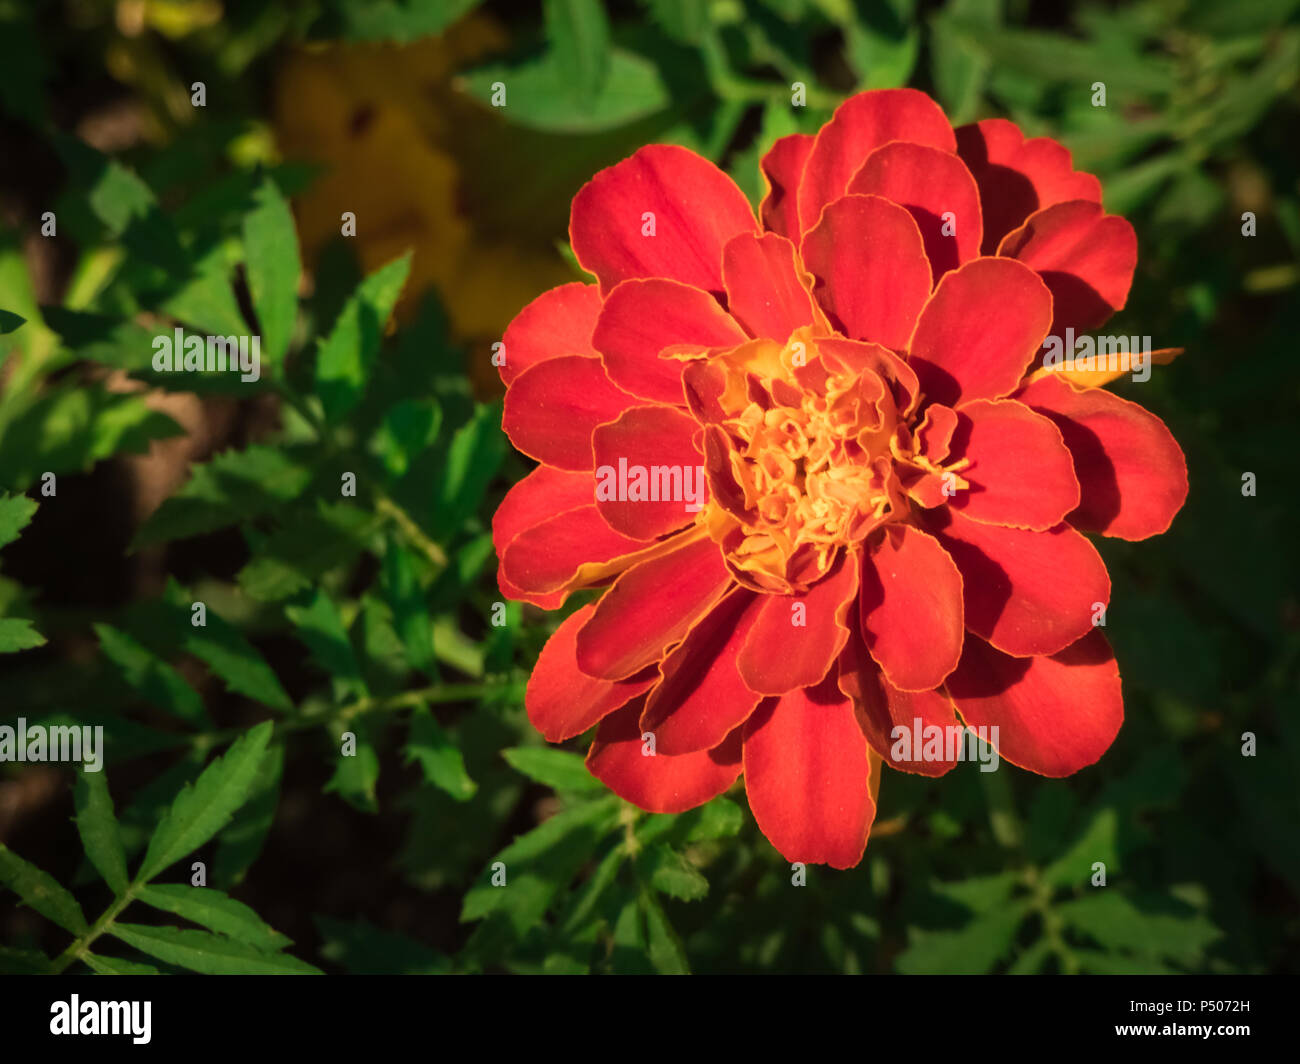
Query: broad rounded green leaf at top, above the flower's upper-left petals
x,y
539,97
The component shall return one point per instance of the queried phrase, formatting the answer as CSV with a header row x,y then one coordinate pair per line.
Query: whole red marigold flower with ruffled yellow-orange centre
x,y
818,468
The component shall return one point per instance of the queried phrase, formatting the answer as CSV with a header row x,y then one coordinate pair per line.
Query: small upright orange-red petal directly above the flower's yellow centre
x,y
765,287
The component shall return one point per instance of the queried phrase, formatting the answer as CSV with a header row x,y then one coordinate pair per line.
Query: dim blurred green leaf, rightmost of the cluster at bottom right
x,y
1117,924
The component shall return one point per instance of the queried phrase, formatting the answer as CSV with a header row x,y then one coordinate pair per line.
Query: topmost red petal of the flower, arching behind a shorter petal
x,y
861,126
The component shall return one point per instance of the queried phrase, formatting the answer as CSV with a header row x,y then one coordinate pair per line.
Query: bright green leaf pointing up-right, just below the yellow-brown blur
x,y
346,357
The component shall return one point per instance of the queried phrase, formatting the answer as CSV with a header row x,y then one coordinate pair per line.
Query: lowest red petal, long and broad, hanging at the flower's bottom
x,y
808,777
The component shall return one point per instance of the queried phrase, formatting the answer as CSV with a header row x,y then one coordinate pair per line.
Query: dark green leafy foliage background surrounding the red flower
x,y
372,615
